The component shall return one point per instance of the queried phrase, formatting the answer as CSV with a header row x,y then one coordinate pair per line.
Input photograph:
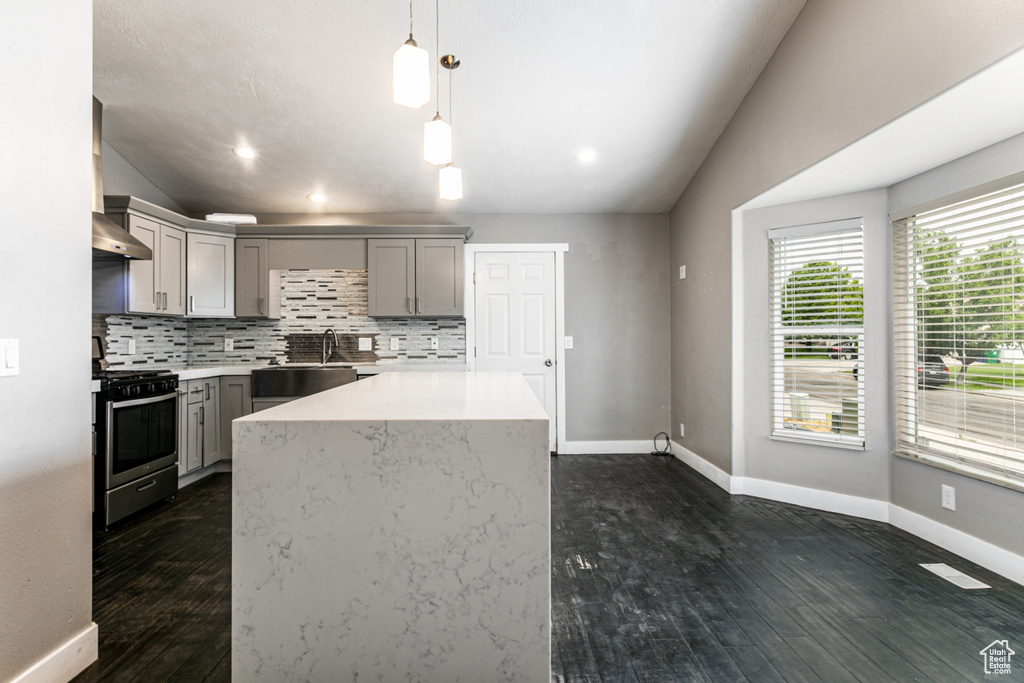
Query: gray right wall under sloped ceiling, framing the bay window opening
x,y
844,70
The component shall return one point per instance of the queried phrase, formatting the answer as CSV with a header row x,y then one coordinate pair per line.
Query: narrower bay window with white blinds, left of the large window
x,y
818,333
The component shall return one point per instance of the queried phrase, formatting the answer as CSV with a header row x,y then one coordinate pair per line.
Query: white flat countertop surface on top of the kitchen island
x,y
396,397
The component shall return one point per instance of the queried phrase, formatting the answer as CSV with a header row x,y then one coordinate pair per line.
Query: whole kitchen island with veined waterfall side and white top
x,y
396,529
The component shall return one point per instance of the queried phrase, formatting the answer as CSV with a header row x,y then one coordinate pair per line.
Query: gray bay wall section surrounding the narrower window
x,y
863,474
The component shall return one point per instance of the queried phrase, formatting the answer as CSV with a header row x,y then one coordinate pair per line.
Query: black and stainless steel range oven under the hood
x,y
137,442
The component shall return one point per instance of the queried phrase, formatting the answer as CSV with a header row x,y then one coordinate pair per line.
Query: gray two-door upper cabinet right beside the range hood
x,y
159,286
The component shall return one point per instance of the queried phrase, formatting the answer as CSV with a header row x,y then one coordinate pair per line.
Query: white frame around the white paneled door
x,y
559,249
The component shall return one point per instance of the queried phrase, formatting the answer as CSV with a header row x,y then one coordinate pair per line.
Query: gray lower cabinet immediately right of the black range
x,y
199,424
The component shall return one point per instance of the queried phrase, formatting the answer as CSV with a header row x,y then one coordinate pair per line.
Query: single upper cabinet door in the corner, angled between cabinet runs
x,y
210,276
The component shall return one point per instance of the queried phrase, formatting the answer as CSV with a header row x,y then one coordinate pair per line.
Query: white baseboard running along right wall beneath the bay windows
x,y
1000,561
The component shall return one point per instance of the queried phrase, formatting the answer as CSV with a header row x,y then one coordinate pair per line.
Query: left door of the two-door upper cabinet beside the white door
x,y
392,278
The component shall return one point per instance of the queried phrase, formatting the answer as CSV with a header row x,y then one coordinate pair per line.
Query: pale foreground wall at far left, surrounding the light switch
x,y
46,443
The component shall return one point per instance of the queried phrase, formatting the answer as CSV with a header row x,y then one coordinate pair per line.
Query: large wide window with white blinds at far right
x,y
959,324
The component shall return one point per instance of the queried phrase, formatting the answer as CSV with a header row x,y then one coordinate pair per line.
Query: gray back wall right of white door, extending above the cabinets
x,y
617,309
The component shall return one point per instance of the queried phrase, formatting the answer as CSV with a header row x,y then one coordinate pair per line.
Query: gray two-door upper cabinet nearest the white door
x,y
421,278
